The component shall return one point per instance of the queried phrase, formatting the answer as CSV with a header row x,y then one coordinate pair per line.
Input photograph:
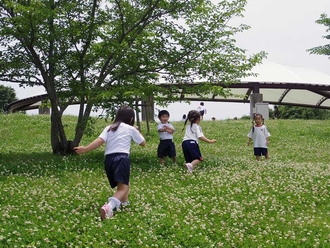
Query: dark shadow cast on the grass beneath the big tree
x,y
45,163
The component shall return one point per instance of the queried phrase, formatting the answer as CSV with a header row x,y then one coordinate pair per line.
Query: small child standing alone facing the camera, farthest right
x,y
259,134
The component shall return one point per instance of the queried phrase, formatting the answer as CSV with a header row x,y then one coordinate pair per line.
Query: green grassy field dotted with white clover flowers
x,y
230,201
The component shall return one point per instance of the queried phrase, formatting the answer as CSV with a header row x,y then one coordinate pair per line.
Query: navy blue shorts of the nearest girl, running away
x,y
117,167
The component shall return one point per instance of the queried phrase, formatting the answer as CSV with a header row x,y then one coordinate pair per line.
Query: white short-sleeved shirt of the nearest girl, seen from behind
x,y
120,140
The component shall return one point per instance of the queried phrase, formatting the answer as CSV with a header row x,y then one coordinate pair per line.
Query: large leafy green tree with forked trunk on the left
x,y
102,53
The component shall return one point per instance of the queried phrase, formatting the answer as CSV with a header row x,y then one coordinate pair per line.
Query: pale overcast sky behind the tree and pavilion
x,y
284,29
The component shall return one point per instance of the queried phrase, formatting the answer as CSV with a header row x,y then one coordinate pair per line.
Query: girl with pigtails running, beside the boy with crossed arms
x,y
193,134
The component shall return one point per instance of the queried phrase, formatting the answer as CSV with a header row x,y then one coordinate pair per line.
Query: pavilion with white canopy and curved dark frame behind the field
x,y
275,84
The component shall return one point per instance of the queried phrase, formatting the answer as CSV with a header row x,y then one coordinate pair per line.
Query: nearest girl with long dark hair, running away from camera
x,y
118,137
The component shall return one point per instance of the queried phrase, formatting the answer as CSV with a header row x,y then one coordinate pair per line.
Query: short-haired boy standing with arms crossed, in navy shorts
x,y
166,145
